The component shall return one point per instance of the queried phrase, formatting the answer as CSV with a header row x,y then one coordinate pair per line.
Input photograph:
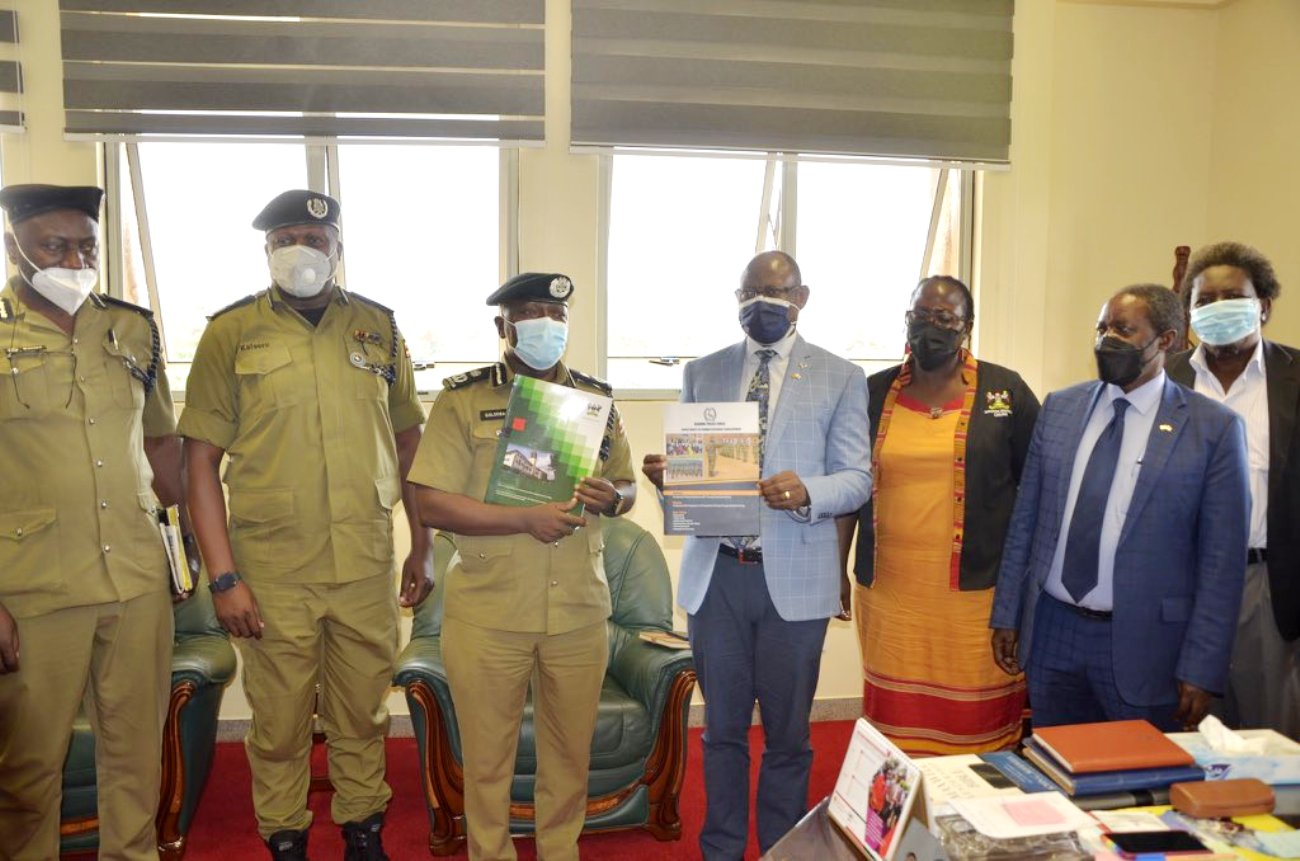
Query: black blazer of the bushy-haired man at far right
x,y
1282,373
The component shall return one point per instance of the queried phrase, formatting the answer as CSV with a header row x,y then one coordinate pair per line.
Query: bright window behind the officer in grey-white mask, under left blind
x,y
422,235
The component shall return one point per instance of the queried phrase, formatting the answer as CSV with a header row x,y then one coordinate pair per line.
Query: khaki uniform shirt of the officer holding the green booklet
x,y
513,582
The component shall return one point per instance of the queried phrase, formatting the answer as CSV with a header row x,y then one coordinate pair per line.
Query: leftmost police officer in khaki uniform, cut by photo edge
x,y
89,440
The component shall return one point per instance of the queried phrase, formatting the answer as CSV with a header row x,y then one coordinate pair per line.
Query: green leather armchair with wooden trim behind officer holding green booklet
x,y
639,751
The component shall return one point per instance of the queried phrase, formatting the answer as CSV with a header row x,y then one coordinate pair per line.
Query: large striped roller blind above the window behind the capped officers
x,y
441,70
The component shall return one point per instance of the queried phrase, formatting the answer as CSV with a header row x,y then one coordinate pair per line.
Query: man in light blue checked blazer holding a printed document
x,y
759,605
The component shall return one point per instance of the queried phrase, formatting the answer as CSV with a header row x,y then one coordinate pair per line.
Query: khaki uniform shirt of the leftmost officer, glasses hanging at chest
x,y
79,514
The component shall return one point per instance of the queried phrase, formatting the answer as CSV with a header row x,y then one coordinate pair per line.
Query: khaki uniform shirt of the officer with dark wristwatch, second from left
x,y
307,417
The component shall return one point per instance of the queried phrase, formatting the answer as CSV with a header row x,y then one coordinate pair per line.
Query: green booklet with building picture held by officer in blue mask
x,y
549,443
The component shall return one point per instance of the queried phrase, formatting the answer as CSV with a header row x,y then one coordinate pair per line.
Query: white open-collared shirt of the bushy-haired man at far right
x,y
1249,397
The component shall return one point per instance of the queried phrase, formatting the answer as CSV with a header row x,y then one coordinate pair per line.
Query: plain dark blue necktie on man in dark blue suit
x,y
1080,569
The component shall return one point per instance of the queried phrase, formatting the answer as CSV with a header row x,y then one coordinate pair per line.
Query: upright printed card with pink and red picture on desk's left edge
x,y
874,795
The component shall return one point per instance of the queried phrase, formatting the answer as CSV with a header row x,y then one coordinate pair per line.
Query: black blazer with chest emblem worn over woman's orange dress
x,y
996,447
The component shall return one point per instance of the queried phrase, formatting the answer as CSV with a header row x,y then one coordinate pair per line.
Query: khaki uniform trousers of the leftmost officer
x,y
114,660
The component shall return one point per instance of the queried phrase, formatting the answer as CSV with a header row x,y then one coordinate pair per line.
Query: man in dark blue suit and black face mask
x,y
1124,565
